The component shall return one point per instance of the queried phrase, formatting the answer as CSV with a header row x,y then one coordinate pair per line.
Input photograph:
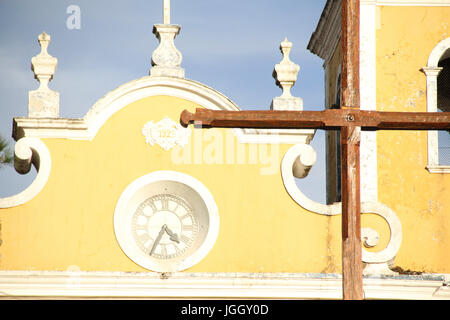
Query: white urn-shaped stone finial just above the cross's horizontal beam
x,y
285,74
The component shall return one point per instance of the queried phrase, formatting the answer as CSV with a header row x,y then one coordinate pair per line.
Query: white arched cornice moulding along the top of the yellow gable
x,y
87,128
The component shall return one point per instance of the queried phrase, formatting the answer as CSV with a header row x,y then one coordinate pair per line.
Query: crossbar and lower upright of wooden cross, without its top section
x,y
350,121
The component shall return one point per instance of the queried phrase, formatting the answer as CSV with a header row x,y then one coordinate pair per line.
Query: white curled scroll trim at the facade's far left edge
x,y
29,151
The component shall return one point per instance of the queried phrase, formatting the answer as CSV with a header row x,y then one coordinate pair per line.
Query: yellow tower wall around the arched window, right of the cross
x,y
405,39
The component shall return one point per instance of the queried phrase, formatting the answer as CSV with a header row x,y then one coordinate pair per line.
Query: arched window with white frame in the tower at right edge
x,y
437,72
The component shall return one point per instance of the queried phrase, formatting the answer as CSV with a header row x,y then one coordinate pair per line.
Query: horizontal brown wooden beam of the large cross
x,y
329,119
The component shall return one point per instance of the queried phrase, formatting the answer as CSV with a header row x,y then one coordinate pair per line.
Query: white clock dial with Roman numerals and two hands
x,y
165,226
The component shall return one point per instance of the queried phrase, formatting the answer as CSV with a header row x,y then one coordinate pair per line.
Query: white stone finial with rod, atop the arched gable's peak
x,y
166,59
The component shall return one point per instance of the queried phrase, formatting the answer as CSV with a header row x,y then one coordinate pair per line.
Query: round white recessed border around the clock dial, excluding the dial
x,y
195,193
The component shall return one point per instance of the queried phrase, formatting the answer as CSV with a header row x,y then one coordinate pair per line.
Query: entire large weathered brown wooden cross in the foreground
x,y
350,120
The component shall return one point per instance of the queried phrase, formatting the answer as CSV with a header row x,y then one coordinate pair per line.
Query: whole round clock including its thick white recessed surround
x,y
166,221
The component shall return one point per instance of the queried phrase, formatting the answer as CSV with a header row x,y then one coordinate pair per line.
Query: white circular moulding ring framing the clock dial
x,y
136,192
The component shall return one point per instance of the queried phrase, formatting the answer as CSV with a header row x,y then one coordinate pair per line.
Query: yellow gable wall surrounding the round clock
x,y
70,222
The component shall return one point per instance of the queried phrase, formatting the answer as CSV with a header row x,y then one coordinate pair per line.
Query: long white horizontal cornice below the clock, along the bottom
x,y
115,285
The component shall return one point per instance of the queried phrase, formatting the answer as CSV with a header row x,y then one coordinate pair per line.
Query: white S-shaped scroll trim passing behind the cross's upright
x,y
376,262
